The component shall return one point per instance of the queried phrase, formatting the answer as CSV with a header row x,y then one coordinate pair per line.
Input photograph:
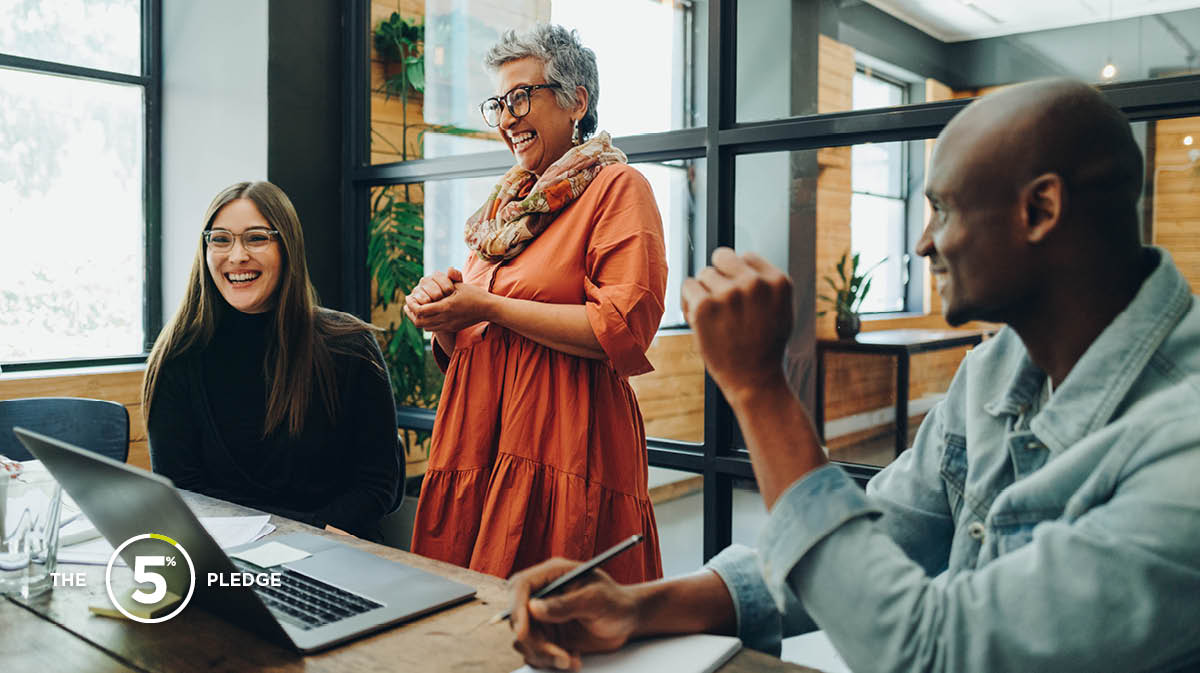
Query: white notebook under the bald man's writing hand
x,y
699,653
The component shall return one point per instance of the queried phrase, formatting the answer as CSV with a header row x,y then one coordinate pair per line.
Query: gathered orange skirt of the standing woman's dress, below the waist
x,y
550,464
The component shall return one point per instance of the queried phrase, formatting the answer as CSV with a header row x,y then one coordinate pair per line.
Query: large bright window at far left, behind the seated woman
x,y
79,278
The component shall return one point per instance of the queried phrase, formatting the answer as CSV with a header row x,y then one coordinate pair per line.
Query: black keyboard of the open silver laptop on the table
x,y
307,603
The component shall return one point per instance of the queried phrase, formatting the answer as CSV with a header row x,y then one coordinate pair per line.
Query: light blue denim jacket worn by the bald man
x,y
1069,543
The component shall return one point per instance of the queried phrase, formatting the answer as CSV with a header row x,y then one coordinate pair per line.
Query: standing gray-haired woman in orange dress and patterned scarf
x,y
539,448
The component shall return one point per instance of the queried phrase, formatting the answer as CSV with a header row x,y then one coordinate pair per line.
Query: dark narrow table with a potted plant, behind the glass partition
x,y
901,344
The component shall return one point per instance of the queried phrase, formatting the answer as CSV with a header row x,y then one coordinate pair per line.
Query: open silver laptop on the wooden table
x,y
334,596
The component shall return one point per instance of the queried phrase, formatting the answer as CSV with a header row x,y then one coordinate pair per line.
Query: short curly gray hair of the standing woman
x,y
568,63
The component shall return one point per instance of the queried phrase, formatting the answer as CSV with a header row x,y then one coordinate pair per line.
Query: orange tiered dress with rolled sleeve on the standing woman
x,y
538,454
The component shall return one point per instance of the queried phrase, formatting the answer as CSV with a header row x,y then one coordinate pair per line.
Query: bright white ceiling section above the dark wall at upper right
x,y
955,21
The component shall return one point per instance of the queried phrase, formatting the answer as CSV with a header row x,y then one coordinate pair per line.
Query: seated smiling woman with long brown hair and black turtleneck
x,y
253,390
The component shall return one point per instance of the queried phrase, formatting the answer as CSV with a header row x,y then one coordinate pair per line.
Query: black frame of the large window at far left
x,y
151,81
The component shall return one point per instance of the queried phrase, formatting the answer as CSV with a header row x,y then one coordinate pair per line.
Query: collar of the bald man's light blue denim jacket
x,y
1109,368
